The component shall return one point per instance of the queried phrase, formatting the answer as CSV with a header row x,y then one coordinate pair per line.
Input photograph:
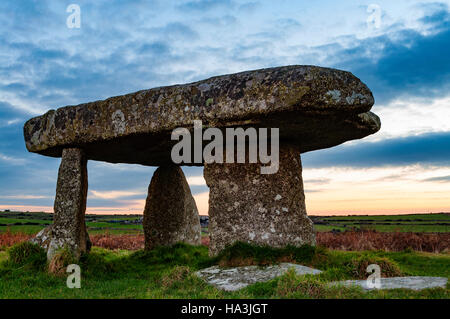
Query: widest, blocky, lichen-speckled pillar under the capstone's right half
x,y
262,209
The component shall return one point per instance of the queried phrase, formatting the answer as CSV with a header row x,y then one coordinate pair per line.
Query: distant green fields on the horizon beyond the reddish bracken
x,y
31,223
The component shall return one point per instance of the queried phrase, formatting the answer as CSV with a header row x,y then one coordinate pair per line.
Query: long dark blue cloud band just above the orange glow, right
x,y
427,149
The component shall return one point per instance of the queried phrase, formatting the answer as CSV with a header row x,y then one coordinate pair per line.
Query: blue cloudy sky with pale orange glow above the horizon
x,y
400,49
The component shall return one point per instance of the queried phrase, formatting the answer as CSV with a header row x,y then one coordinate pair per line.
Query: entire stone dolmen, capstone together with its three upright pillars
x,y
257,198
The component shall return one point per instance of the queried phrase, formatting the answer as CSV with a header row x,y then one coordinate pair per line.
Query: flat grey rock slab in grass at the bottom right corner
x,y
415,283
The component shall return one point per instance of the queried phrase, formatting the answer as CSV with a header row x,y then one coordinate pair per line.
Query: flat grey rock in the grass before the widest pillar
x,y
231,279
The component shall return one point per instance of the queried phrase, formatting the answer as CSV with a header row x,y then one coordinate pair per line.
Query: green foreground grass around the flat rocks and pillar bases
x,y
169,273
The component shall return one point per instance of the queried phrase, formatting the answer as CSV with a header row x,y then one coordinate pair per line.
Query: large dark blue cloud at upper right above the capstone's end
x,y
403,62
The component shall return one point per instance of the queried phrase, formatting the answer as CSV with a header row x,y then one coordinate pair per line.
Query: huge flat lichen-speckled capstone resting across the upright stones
x,y
314,108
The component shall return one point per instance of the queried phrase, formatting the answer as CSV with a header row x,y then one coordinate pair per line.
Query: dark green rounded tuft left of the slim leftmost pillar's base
x,y
27,255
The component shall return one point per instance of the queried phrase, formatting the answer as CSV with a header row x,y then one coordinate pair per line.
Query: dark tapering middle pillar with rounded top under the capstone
x,y
170,213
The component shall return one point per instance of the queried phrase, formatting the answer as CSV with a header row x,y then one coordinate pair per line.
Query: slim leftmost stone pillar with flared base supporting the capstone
x,y
68,228
